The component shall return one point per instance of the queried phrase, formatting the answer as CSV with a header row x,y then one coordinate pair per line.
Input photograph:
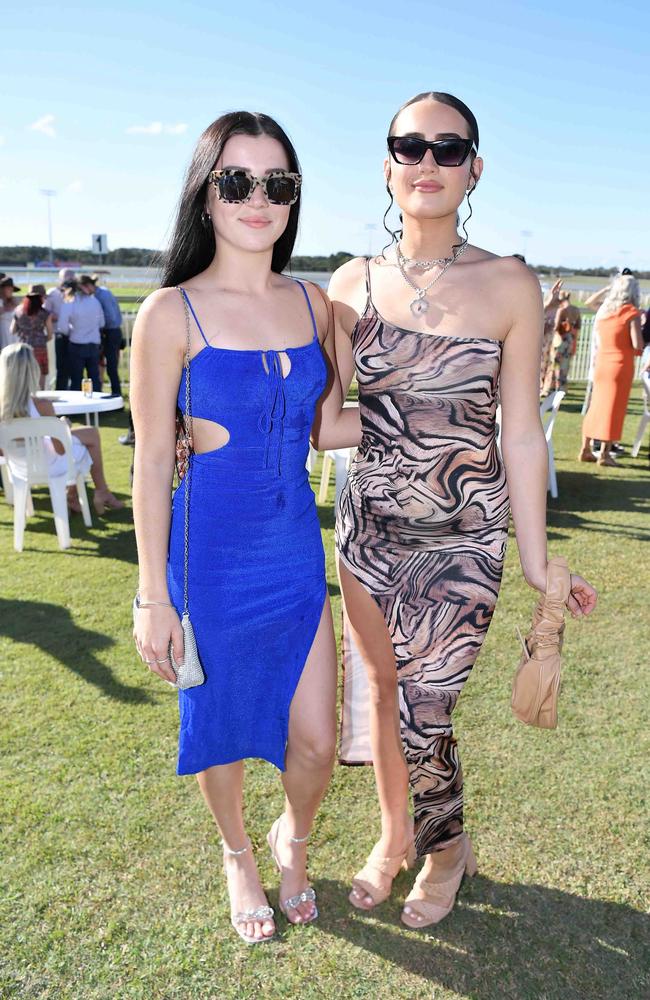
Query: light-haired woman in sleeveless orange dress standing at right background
x,y
619,332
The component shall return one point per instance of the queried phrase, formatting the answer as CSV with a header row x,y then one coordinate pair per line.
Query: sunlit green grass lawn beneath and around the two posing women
x,y
111,882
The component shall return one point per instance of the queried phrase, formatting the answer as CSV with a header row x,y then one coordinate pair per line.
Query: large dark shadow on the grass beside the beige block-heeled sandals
x,y
502,940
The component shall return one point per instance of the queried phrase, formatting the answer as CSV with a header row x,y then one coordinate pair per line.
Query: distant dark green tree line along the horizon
x,y
141,257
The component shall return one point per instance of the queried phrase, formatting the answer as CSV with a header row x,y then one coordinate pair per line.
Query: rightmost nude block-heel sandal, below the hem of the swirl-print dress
x,y
429,902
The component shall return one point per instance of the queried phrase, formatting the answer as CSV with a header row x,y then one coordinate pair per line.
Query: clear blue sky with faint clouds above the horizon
x,y
103,104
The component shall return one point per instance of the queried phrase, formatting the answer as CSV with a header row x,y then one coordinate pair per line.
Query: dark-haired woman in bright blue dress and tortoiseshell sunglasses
x,y
263,377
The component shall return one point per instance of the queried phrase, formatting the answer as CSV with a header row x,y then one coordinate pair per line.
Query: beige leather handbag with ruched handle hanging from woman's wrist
x,y
536,685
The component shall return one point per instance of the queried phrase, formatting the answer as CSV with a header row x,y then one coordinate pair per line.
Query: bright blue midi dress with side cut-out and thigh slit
x,y
256,583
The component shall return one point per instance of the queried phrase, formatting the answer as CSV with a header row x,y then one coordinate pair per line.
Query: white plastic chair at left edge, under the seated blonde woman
x,y
22,442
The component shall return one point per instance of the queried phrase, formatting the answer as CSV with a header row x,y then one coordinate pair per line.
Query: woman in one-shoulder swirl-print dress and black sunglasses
x,y
435,328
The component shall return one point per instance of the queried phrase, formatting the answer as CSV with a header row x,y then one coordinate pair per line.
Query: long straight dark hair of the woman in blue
x,y
192,245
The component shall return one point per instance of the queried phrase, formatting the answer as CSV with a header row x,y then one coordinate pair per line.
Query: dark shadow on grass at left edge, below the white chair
x,y
51,629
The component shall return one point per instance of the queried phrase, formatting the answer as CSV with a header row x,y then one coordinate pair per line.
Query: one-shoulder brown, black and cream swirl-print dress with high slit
x,y
422,525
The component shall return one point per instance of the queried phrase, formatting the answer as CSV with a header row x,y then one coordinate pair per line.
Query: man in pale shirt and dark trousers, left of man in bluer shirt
x,y
82,318
